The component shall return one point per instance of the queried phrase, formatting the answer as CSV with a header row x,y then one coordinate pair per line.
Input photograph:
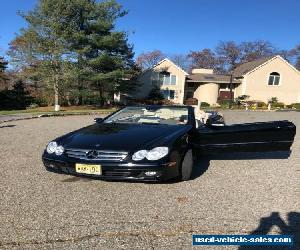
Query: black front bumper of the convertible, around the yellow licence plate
x,y
116,171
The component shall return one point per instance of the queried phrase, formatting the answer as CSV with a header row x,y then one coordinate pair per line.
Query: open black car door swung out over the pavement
x,y
247,137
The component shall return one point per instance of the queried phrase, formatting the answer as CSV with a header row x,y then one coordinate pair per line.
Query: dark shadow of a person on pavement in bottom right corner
x,y
292,227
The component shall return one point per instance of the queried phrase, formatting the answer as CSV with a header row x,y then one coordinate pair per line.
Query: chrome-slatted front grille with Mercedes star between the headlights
x,y
96,155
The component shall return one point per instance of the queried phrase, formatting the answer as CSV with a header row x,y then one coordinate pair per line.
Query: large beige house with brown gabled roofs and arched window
x,y
260,79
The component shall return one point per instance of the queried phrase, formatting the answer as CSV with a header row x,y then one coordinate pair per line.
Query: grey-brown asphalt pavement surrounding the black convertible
x,y
42,210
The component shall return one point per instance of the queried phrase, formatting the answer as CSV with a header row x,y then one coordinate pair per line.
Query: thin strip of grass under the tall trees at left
x,y
63,110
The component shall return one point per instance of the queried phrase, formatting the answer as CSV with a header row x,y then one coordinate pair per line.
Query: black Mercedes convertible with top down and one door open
x,y
158,143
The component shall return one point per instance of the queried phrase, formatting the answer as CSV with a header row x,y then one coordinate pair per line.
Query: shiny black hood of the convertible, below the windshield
x,y
123,137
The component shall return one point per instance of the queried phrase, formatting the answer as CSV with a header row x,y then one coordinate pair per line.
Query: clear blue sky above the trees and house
x,y
178,26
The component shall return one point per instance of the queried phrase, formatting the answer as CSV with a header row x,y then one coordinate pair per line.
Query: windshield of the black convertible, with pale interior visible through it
x,y
145,115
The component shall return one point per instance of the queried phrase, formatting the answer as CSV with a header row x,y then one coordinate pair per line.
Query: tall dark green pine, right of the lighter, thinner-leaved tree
x,y
103,54
